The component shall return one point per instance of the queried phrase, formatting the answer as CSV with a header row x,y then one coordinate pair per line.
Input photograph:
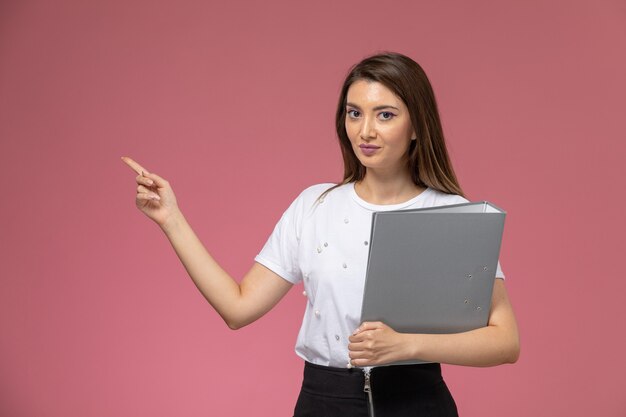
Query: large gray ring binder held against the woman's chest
x,y
432,270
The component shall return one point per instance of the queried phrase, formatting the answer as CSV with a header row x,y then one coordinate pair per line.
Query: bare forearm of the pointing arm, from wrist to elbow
x,y
219,289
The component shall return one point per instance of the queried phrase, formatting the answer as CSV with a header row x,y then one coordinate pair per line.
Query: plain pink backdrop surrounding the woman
x,y
233,102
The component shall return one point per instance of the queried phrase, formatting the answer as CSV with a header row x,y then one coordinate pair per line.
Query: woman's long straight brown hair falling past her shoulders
x,y
429,163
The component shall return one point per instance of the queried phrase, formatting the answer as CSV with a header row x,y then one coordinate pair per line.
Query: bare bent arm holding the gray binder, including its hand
x,y
375,343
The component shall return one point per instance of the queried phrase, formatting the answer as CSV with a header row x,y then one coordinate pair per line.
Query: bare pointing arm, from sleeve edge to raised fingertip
x,y
238,304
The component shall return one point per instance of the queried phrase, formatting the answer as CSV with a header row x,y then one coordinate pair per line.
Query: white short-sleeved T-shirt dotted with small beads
x,y
324,243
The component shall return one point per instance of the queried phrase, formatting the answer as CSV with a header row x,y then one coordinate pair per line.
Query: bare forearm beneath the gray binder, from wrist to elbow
x,y
487,346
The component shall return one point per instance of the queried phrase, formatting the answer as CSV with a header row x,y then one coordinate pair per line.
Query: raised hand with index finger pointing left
x,y
155,198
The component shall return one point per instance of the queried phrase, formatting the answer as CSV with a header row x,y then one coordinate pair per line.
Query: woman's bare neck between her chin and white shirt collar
x,y
378,188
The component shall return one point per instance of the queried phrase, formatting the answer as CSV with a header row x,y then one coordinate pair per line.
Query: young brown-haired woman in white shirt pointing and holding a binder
x,y
394,158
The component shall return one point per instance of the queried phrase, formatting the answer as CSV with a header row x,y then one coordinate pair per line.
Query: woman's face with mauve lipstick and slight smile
x,y
379,126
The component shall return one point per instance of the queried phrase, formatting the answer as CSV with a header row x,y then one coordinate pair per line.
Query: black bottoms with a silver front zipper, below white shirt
x,y
403,390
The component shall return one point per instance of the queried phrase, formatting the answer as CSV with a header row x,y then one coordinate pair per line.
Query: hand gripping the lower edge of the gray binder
x,y
375,343
